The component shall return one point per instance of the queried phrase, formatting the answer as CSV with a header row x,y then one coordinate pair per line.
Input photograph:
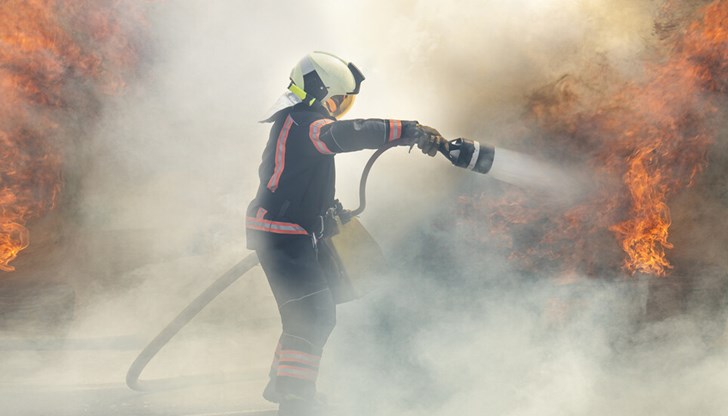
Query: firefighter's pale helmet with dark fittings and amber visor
x,y
327,79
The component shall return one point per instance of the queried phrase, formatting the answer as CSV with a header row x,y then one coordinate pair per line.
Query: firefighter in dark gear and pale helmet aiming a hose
x,y
291,211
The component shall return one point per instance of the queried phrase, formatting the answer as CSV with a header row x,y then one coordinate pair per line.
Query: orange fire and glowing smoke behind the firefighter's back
x,y
56,58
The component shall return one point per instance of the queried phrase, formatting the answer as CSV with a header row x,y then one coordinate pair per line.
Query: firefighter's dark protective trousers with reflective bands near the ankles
x,y
308,312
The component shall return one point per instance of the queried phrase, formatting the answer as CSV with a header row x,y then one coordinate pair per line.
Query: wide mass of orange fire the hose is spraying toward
x,y
649,138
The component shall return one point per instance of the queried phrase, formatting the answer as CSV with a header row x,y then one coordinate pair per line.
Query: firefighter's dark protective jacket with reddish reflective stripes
x,y
297,172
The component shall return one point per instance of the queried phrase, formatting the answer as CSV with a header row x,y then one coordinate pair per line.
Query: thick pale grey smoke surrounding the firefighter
x,y
454,330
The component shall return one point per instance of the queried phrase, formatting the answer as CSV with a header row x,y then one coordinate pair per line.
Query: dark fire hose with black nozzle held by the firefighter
x,y
461,152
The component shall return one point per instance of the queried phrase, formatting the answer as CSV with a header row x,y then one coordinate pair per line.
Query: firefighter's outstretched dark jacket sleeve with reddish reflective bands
x,y
329,136
